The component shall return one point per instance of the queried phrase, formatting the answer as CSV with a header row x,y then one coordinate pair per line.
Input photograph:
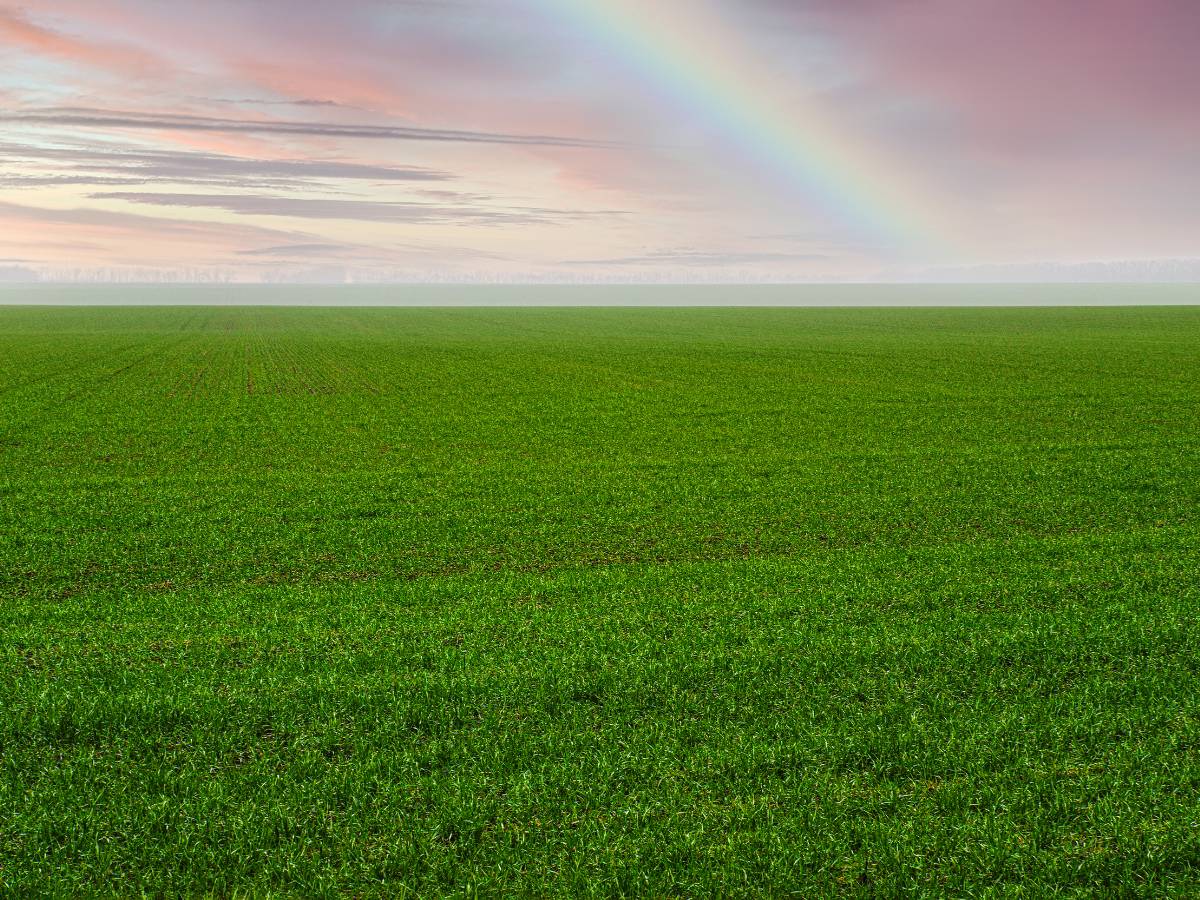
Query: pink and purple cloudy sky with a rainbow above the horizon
x,y
610,141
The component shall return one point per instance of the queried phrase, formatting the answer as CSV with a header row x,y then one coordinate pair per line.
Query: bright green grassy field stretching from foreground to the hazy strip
x,y
581,602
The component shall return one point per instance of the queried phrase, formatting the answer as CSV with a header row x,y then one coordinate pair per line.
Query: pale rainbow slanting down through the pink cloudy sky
x,y
686,49
